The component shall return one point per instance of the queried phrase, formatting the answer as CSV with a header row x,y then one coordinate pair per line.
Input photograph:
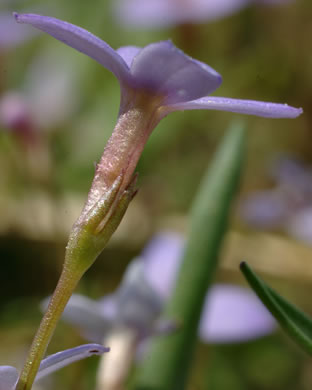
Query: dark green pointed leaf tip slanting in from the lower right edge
x,y
295,323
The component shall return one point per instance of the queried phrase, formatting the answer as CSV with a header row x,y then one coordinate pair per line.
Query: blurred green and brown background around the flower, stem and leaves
x,y
57,110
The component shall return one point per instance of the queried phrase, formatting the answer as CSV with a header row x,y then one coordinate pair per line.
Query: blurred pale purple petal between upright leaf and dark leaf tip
x,y
234,314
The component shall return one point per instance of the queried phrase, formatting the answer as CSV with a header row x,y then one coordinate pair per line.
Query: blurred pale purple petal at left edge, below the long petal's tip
x,y
12,35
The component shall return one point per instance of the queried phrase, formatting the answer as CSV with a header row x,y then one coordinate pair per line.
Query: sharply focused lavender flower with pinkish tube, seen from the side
x,y
154,80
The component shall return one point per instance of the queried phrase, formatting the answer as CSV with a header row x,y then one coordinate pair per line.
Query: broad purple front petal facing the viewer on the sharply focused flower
x,y
167,71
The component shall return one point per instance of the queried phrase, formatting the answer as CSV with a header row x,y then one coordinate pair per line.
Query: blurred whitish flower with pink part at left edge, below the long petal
x,y
46,99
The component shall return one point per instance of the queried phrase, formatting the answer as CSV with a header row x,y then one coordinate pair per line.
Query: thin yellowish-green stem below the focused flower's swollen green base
x,y
66,284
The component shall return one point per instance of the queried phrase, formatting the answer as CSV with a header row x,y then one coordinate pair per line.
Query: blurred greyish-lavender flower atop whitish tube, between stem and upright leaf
x,y
134,305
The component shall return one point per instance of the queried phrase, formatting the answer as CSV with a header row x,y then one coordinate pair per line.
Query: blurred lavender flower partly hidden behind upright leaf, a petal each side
x,y
230,313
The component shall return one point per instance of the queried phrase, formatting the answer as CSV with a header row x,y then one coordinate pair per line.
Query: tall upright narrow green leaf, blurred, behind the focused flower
x,y
170,357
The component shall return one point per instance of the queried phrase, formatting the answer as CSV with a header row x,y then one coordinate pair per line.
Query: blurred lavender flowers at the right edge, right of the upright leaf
x,y
287,206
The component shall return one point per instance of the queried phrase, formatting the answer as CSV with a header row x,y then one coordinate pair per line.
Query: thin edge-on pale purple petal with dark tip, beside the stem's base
x,y
61,359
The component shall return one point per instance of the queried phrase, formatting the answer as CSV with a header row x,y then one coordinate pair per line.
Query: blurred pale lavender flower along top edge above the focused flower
x,y
164,13
